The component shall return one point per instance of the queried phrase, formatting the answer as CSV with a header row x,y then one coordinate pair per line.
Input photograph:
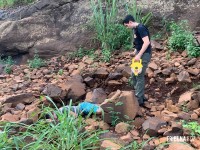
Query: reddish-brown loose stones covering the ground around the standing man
x,y
94,81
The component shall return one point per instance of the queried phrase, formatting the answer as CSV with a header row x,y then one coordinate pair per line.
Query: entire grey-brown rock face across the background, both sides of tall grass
x,y
55,27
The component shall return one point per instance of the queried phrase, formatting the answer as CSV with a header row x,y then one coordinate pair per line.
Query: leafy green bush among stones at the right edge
x,y
182,38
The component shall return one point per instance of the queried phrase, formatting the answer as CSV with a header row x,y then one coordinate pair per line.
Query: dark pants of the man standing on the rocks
x,y
139,81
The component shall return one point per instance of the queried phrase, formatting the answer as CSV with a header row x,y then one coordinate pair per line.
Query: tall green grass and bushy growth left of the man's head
x,y
111,34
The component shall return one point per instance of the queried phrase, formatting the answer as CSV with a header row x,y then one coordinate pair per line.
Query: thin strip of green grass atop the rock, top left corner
x,y
10,3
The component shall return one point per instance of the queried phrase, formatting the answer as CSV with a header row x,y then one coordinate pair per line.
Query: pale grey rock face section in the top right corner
x,y
178,10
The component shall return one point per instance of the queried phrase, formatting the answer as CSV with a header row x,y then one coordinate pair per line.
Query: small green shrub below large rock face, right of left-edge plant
x,y
37,62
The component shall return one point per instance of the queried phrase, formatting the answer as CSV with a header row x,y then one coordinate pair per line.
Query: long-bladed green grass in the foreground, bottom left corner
x,y
65,133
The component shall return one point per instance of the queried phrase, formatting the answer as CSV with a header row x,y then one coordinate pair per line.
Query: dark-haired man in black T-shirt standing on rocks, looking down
x,y
142,51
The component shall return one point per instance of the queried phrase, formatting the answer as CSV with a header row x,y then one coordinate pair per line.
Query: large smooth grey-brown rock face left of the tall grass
x,y
51,27
